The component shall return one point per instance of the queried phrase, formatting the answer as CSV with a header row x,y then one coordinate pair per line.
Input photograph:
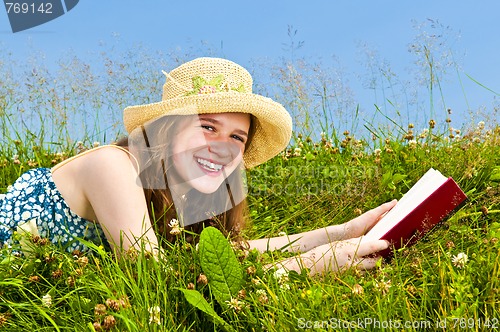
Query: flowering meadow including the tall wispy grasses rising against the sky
x,y
329,174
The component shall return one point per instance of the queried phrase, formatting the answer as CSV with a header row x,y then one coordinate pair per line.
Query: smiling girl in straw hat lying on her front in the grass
x,y
184,159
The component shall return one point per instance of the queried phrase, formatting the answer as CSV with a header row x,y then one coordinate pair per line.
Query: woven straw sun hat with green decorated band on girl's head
x,y
213,85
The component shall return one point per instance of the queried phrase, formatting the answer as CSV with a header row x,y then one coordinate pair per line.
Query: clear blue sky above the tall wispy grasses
x,y
243,31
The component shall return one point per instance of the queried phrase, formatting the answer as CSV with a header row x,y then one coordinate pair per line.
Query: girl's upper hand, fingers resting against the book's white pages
x,y
362,224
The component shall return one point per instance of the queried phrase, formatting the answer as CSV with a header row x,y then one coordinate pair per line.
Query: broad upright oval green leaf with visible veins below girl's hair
x,y
220,265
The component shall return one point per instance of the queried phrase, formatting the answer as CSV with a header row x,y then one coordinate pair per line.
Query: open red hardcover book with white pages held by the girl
x,y
432,199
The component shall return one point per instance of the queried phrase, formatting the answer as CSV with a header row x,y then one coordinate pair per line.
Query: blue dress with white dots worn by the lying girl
x,y
34,196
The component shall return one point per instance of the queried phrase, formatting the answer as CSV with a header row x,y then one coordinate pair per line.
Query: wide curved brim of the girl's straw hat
x,y
273,124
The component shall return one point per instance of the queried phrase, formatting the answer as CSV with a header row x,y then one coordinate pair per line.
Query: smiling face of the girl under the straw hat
x,y
208,148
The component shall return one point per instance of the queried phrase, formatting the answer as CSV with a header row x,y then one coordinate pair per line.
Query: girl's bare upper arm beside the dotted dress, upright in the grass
x,y
110,184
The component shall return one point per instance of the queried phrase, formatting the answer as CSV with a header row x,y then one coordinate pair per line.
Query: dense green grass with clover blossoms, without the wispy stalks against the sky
x,y
320,183
